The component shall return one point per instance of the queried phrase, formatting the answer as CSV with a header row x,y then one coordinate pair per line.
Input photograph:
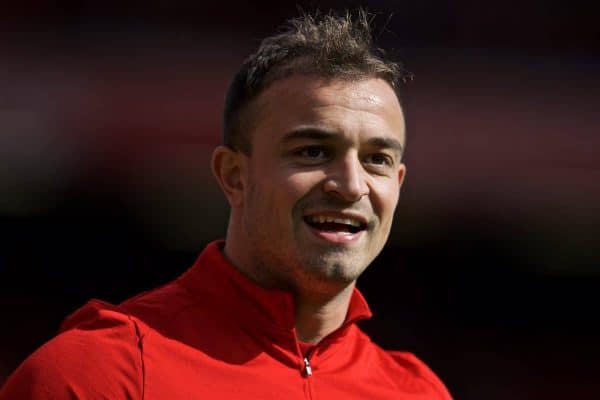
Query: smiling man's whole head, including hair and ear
x,y
314,135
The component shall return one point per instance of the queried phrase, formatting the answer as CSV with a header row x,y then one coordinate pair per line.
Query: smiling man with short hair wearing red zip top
x,y
311,167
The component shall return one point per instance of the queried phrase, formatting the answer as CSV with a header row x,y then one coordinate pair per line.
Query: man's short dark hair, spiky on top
x,y
327,45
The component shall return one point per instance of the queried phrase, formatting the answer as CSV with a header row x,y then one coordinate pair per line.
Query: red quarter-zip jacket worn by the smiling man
x,y
213,334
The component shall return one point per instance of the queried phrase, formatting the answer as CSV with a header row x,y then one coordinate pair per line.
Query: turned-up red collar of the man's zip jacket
x,y
263,309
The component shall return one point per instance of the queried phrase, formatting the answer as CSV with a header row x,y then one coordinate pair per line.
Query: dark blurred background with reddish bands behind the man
x,y
109,112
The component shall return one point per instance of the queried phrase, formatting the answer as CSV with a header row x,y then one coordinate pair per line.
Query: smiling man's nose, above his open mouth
x,y
347,179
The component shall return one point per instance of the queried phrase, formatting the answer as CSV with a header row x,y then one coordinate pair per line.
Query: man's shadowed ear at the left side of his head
x,y
228,166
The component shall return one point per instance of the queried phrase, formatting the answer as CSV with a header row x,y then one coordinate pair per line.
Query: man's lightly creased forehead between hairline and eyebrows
x,y
367,105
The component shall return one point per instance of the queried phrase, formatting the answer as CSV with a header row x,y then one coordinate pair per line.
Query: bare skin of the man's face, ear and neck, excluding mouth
x,y
319,147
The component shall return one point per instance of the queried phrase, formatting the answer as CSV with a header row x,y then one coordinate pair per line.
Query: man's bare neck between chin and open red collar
x,y
318,316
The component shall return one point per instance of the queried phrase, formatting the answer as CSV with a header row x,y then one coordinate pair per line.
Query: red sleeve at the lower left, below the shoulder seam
x,y
99,360
